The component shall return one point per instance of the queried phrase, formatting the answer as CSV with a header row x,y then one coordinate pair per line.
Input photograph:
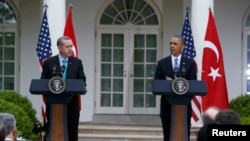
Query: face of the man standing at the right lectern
x,y
176,46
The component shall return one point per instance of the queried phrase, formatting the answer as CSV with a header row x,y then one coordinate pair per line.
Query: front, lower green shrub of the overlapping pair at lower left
x,y
23,122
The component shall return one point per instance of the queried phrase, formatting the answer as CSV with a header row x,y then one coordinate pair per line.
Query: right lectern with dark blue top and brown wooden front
x,y
179,129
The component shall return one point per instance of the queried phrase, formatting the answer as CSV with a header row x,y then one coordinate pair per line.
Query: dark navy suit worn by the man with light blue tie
x,y
74,71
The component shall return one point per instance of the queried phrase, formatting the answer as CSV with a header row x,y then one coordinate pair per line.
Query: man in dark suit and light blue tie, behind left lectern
x,y
74,70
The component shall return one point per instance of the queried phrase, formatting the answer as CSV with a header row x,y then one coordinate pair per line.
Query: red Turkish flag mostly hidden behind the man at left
x,y
70,32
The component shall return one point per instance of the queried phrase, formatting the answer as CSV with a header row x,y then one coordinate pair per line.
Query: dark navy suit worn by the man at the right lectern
x,y
164,68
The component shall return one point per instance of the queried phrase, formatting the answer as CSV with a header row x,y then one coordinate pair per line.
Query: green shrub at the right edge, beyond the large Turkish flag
x,y
241,105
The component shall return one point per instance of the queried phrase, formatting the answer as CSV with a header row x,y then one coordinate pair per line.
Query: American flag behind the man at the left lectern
x,y
44,51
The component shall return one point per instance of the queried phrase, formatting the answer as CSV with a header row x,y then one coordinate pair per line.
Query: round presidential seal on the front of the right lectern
x,y
180,86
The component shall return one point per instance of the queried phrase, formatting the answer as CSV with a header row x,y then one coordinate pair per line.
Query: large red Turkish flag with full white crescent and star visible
x,y
213,69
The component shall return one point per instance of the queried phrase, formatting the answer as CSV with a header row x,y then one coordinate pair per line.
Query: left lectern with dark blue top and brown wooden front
x,y
58,110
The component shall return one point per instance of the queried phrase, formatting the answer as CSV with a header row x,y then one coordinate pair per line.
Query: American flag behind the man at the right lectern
x,y
189,52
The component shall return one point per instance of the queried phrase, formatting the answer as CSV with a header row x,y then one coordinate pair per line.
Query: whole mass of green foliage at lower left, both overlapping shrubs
x,y
21,107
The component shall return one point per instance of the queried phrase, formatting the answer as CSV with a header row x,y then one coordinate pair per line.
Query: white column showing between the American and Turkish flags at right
x,y
199,18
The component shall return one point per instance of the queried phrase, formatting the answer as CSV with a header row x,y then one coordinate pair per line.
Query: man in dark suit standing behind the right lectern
x,y
166,70
